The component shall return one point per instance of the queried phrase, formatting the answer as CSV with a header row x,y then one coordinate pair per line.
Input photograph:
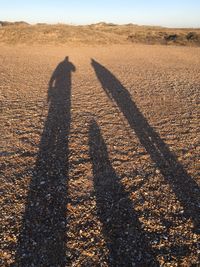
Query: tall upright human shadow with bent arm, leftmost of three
x,y
42,238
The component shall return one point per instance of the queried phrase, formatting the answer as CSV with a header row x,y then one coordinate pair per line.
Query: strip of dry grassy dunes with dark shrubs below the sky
x,y
100,33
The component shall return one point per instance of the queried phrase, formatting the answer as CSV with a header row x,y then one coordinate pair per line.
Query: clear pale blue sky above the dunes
x,y
171,13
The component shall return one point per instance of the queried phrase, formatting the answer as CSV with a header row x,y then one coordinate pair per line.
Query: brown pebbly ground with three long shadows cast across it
x,y
99,161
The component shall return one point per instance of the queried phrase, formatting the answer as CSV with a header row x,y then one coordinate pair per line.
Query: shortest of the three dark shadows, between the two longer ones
x,y
122,230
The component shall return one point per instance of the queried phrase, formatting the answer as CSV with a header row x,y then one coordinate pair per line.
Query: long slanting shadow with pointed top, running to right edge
x,y
185,188
